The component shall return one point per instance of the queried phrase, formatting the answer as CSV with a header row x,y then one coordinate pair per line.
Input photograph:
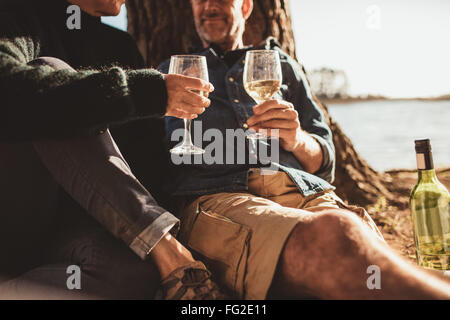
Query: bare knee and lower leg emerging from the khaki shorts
x,y
327,257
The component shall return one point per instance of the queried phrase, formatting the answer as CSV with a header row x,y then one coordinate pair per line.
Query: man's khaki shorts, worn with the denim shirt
x,y
240,236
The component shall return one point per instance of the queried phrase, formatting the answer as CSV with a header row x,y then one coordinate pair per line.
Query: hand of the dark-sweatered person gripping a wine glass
x,y
183,102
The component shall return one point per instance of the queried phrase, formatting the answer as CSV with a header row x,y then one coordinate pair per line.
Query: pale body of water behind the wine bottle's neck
x,y
383,132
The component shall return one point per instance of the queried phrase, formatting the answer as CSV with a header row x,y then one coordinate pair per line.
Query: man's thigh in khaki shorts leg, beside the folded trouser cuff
x,y
240,237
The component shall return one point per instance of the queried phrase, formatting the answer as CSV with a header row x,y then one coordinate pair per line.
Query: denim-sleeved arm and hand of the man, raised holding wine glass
x,y
301,125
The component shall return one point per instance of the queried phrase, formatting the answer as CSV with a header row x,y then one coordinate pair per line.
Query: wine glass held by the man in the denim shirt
x,y
262,78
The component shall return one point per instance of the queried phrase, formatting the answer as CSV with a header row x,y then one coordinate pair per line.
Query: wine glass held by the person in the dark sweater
x,y
192,66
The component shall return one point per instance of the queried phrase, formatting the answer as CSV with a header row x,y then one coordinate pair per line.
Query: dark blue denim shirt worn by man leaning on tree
x,y
230,108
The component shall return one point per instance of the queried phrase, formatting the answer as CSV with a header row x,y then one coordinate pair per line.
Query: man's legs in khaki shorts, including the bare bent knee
x,y
254,244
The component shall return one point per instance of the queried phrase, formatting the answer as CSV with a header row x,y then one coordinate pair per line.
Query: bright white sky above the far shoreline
x,y
396,48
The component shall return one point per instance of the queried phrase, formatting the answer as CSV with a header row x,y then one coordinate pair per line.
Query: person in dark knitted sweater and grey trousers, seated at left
x,y
54,119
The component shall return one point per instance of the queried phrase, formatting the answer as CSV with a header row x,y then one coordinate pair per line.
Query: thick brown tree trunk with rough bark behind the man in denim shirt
x,y
163,28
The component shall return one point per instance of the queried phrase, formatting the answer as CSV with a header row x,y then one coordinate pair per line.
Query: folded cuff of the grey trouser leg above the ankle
x,y
144,243
